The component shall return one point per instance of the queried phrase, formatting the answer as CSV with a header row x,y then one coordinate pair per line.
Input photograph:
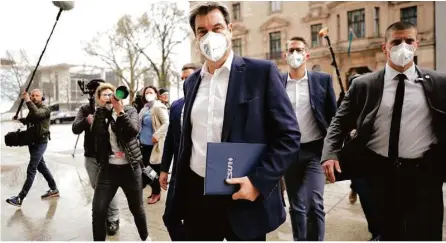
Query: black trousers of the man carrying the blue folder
x,y
206,218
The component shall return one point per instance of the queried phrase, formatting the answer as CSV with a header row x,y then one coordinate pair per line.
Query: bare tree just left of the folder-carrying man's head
x,y
168,29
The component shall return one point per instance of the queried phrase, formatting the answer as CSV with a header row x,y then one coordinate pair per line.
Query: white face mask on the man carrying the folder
x,y
214,45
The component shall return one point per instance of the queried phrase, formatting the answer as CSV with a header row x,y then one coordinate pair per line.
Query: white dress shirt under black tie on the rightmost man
x,y
416,133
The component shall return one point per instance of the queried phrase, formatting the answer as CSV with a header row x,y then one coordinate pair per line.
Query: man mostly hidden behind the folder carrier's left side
x,y
171,145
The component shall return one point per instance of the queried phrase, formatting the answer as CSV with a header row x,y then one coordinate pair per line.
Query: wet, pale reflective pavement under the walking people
x,y
69,217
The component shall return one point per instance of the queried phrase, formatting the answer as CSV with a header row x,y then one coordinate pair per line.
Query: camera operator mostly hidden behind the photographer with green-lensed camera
x,y
82,123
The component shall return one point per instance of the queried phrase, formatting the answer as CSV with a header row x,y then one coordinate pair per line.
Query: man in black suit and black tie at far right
x,y
400,115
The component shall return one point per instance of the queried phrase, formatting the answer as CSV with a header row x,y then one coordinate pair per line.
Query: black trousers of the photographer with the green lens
x,y
110,178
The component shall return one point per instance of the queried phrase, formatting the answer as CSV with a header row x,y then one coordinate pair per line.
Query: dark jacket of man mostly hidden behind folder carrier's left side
x,y
172,142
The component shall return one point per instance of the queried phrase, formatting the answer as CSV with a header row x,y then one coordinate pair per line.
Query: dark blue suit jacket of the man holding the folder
x,y
257,110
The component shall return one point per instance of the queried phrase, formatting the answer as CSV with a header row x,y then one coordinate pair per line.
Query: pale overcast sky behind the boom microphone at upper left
x,y
27,24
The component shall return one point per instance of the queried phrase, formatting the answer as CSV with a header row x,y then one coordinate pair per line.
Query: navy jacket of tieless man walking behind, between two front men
x,y
322,97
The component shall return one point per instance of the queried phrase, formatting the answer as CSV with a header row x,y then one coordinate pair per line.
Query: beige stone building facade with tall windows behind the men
x,y
261,30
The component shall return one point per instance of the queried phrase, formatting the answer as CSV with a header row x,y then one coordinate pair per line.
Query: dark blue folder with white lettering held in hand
x,y
230,160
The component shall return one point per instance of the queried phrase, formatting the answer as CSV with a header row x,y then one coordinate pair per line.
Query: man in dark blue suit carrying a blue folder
x,y
239,100
